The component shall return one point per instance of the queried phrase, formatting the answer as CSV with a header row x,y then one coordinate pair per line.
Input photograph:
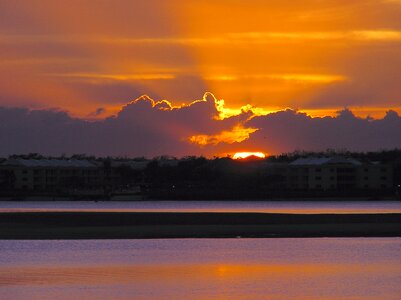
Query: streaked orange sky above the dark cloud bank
x,y
314,56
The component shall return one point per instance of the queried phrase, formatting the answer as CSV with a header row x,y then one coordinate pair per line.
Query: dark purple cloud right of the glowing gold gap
x,y
289,130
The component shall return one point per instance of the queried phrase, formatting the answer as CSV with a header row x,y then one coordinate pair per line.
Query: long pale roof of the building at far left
x,y
48,163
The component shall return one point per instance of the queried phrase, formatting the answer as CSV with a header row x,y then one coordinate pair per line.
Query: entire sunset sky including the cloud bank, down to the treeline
x,y
218,76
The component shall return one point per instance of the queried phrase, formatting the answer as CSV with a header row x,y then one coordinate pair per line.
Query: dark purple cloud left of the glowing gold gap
x,y
140,128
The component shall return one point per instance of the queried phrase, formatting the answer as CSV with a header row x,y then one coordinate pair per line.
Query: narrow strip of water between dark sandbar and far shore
x,y
331,206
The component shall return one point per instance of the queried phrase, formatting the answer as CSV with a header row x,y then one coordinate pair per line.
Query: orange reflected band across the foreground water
x,y
91,274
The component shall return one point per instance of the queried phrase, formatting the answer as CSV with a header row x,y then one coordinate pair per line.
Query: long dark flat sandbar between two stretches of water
x,y
144,225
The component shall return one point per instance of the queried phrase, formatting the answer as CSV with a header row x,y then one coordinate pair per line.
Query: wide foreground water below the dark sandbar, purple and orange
x,y
363,268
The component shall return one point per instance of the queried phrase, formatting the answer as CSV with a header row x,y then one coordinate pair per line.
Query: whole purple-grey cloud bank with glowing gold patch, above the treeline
x,y
145,127
